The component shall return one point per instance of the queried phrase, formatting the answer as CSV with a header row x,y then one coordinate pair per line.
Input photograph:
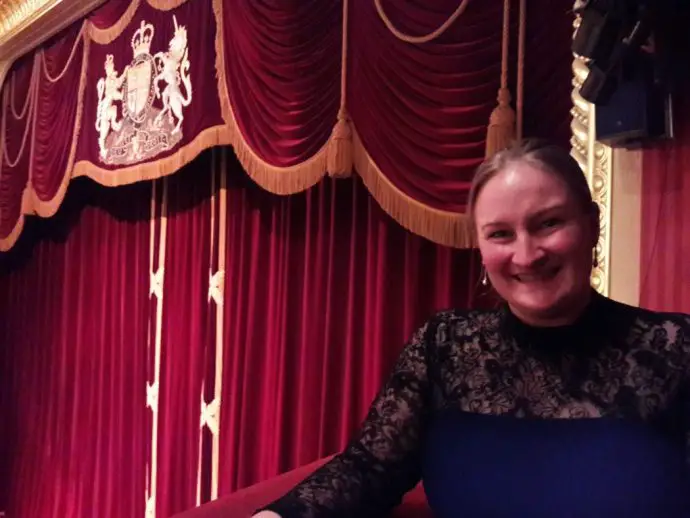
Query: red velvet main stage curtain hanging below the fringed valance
x,y
321,291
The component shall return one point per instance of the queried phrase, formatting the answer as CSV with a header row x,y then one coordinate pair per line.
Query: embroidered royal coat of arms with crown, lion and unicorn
x,y
139,130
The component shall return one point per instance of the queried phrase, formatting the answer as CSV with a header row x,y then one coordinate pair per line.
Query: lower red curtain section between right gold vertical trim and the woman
x,y
322,291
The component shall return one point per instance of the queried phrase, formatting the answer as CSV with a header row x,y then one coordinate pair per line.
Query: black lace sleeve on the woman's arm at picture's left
x,y
382,463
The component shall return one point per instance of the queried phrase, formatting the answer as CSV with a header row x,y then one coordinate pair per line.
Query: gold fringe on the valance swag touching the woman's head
x,y
442,227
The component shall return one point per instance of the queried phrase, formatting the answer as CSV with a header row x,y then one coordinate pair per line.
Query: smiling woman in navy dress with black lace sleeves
x,y
561,403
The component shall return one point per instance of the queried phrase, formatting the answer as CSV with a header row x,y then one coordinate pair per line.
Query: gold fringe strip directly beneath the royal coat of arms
x,y
210,137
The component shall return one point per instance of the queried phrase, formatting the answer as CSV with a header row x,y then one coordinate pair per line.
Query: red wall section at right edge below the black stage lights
x,y
665,241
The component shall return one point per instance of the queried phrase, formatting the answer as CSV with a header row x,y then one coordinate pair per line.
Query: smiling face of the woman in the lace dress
x,y
536,243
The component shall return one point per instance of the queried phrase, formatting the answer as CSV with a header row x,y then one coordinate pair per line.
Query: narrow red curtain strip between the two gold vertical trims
x,y
187,337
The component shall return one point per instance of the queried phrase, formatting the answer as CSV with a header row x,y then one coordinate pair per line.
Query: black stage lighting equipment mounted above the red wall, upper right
x,y
627,49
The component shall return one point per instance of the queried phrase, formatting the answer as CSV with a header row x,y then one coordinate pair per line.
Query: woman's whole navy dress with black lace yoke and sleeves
x,y
504,420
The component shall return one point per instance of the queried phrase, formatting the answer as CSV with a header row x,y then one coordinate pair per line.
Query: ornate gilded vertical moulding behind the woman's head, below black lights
x,y
596,159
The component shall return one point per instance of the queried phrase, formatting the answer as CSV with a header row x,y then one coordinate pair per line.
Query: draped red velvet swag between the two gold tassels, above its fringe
x,y
421,110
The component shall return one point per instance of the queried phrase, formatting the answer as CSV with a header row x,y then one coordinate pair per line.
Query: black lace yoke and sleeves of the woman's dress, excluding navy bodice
x,y
615,361
